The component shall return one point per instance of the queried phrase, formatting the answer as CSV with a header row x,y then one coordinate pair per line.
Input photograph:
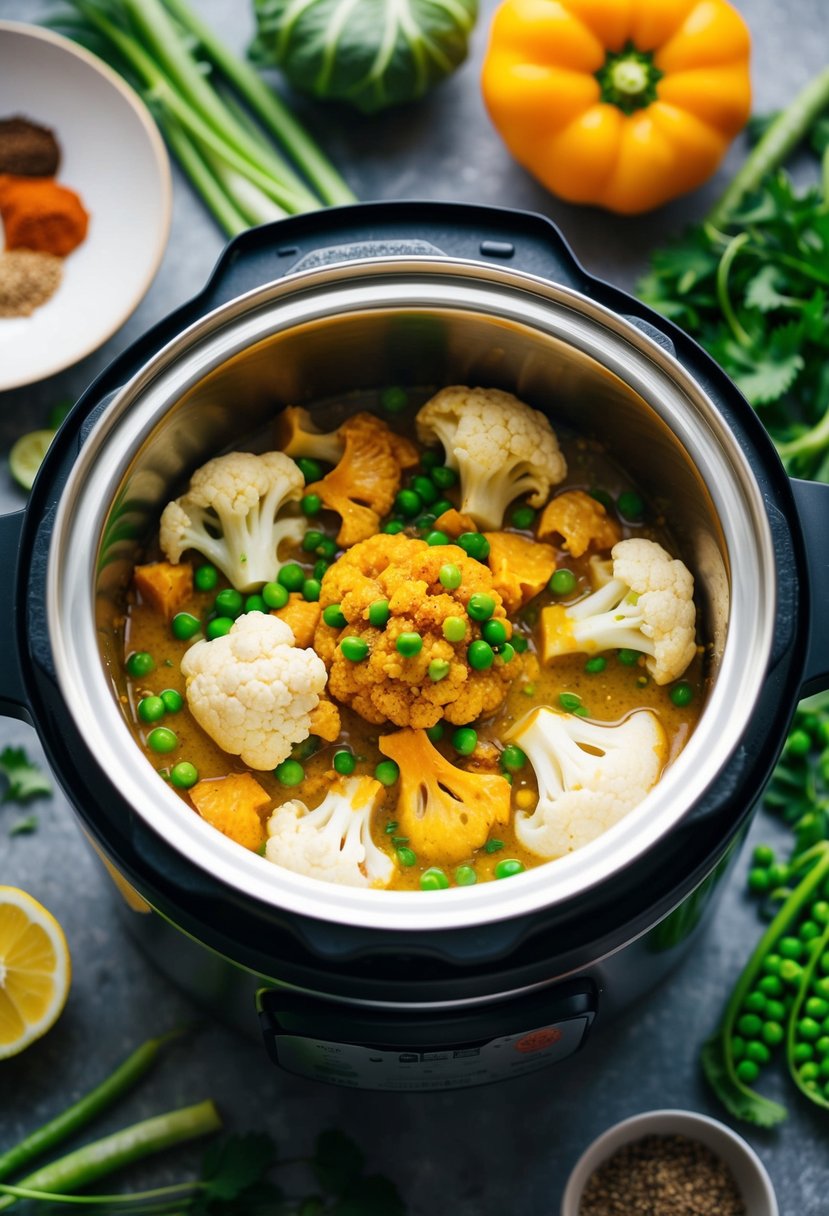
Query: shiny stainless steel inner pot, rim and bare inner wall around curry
x,y
425,322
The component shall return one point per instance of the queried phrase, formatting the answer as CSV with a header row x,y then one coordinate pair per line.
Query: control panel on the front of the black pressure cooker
x,y
365,1048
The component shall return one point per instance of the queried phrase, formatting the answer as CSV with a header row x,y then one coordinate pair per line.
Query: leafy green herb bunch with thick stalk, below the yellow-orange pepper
x,y
752,285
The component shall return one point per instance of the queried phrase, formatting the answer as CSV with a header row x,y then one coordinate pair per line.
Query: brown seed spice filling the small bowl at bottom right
x,y
663,1176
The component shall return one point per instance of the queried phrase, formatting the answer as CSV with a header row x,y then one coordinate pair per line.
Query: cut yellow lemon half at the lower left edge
x,y
35,971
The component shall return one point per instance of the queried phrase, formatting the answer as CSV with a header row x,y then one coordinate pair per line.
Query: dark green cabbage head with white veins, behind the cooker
x,y
371,54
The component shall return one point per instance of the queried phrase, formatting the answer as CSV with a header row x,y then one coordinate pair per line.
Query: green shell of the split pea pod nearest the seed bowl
x,y
717,1057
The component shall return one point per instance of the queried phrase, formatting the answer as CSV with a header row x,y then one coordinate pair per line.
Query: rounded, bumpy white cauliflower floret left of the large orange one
x,y
253,691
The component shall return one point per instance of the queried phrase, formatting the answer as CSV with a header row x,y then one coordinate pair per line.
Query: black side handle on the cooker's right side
x,y
813,504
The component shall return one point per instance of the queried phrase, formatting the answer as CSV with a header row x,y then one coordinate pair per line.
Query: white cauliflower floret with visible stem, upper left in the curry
x,y
229,516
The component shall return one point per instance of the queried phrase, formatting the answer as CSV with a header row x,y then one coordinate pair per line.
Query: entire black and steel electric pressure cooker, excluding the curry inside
x,y
392,989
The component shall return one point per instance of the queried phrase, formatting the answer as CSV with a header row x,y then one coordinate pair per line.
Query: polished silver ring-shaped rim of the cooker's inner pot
x,y
431,284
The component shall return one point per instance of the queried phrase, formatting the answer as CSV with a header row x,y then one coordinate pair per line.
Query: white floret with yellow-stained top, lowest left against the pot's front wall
x,y
334,842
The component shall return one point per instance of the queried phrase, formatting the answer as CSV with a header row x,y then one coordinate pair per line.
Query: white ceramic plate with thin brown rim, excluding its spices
x,y
115,159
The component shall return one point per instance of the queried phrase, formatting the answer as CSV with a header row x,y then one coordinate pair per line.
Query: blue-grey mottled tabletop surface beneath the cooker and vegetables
x,y
478,1153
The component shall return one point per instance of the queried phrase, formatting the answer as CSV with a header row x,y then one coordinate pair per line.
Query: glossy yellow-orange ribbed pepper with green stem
x,y
619,103
